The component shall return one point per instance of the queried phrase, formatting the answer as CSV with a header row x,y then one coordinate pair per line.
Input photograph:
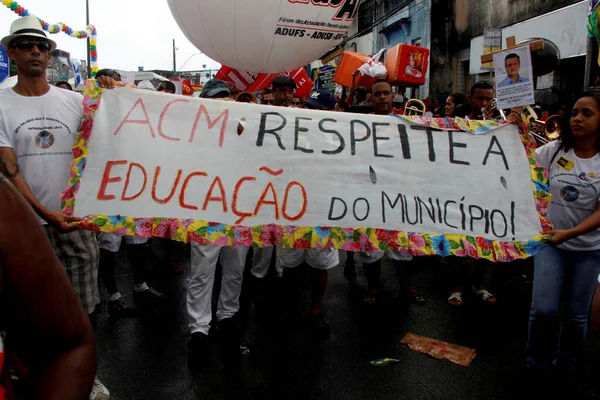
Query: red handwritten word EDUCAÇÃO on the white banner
x,y
115,187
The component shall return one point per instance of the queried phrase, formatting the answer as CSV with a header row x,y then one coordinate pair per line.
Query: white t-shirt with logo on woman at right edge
x,y
575,189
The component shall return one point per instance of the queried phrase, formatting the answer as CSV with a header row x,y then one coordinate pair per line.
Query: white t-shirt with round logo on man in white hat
x,y
42,131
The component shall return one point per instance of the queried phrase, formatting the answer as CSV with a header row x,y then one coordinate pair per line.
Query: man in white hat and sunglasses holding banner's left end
x,y
38,125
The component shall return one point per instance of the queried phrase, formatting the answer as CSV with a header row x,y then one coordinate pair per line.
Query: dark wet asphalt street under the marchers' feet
x,y
146,357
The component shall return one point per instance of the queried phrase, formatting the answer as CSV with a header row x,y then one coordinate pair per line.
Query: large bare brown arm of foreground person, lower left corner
x,y
45,322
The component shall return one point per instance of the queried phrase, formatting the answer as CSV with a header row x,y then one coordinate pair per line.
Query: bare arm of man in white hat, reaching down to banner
x,y
57,220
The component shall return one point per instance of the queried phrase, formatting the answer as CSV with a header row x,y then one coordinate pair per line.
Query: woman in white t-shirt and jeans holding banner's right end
x,y
567,268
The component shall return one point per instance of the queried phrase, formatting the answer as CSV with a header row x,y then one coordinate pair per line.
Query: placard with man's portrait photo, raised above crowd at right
x,y
514,78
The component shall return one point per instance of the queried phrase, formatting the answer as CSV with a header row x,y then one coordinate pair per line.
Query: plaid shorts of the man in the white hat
x,y
78,252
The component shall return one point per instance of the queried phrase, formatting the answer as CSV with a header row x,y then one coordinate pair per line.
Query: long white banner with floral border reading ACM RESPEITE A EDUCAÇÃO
x,y
150,164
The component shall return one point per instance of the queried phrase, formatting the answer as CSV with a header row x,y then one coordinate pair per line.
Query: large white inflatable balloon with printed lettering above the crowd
x,y
264,35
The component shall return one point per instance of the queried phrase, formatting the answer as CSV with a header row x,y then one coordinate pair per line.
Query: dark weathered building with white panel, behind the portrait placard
x,y
458,65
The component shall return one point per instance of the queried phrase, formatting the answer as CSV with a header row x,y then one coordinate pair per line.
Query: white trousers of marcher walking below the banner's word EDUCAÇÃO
x,y
202,277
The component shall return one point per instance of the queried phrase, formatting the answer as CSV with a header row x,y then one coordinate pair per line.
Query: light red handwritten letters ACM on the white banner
x,y
201,114
